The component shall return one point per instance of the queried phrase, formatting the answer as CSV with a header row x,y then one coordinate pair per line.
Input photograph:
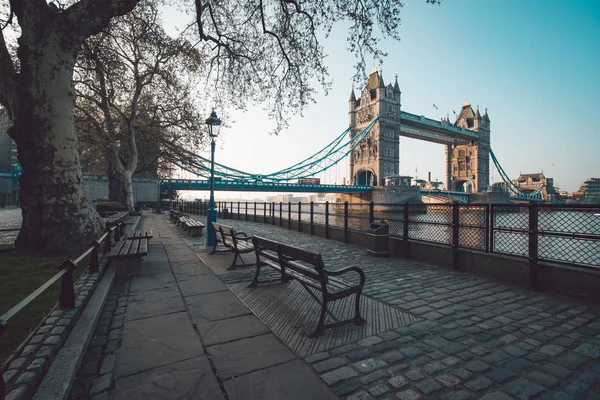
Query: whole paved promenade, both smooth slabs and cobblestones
x,y
186,335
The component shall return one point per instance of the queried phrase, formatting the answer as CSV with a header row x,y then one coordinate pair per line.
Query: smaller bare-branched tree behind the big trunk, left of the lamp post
x,y
134,84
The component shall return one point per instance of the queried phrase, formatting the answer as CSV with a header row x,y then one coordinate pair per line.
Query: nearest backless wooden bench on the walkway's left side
x,y
127,254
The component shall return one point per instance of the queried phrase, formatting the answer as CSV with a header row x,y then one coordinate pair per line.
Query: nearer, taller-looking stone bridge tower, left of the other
x,y
378,155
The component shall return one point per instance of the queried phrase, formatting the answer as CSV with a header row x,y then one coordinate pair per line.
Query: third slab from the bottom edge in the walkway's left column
x,y
153,303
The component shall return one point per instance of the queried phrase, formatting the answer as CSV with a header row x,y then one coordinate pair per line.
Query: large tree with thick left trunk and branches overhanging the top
x,y
261,50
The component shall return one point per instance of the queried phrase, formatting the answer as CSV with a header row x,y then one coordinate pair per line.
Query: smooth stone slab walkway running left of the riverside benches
x,y
177,332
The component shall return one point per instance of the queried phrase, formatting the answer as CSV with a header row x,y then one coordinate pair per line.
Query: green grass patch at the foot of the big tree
x,y
19,277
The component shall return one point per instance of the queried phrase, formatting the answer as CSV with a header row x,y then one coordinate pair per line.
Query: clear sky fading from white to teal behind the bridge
x,y
534,64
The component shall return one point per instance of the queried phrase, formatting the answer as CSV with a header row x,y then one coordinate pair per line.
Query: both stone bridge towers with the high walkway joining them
x,y
466,141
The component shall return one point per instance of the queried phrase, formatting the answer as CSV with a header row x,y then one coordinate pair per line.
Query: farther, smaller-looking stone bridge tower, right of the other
x,y
469,162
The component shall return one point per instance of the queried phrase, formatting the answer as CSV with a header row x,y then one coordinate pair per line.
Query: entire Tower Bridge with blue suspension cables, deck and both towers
x,y
370,146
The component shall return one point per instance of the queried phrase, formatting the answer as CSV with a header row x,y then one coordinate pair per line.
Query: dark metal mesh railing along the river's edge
x,y
556,233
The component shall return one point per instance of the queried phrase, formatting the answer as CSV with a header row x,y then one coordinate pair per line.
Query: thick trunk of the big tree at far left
x,y
58,218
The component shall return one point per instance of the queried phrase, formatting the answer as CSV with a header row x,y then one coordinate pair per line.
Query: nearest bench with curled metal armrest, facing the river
x,y
309,270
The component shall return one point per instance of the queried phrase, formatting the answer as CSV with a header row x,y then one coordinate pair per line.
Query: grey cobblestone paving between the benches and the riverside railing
x,y
479,338
